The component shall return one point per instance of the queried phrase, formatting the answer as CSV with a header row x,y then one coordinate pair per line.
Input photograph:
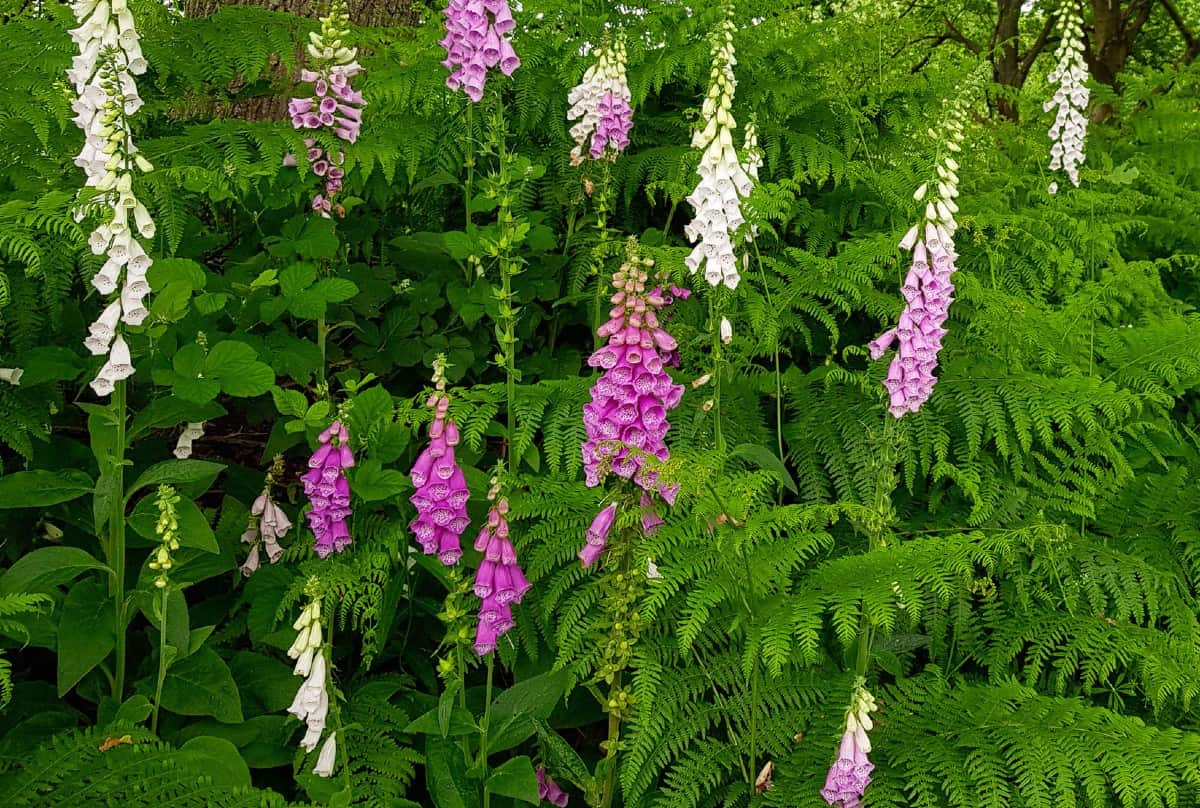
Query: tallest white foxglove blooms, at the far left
x,y
107,94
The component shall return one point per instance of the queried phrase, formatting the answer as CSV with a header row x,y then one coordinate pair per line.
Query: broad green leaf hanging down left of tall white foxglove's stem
x,y
86,632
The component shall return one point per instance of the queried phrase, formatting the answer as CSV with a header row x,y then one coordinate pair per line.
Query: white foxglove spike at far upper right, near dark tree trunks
x,y
1071,75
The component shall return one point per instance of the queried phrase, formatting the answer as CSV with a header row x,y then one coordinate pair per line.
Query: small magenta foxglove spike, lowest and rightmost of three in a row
x,y
500,582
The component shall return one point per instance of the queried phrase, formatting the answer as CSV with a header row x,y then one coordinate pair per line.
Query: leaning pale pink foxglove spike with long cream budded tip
x,y
928,289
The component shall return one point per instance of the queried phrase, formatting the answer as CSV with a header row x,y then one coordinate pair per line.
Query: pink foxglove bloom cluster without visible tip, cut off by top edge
x,y
477,40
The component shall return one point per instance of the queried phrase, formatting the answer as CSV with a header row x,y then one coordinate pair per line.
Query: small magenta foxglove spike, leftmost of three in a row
x,y
328,490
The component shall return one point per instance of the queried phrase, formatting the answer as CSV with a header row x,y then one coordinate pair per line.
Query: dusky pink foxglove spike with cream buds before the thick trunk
x,y
334,105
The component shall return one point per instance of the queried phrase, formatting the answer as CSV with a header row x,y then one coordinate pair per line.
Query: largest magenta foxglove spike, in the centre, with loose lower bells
x,y
627,420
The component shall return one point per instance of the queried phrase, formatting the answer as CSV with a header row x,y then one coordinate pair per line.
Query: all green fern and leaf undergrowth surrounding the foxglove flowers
x,y
1013,572
